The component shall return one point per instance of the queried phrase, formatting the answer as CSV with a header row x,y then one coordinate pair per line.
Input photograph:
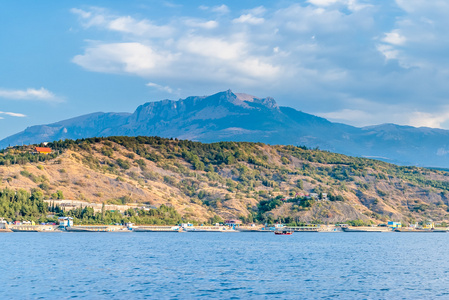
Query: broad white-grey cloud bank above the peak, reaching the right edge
x,y
321,53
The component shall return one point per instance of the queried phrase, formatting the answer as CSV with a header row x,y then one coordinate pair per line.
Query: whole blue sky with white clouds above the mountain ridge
x,y
359,62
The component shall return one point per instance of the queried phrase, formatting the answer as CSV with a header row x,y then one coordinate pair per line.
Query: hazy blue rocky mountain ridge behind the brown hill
x,y
228,116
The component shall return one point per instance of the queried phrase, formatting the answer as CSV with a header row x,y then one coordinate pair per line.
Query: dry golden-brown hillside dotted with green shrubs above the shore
x,y
253,181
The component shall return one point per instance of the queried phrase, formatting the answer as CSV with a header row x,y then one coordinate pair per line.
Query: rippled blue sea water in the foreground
x,y
224,266
